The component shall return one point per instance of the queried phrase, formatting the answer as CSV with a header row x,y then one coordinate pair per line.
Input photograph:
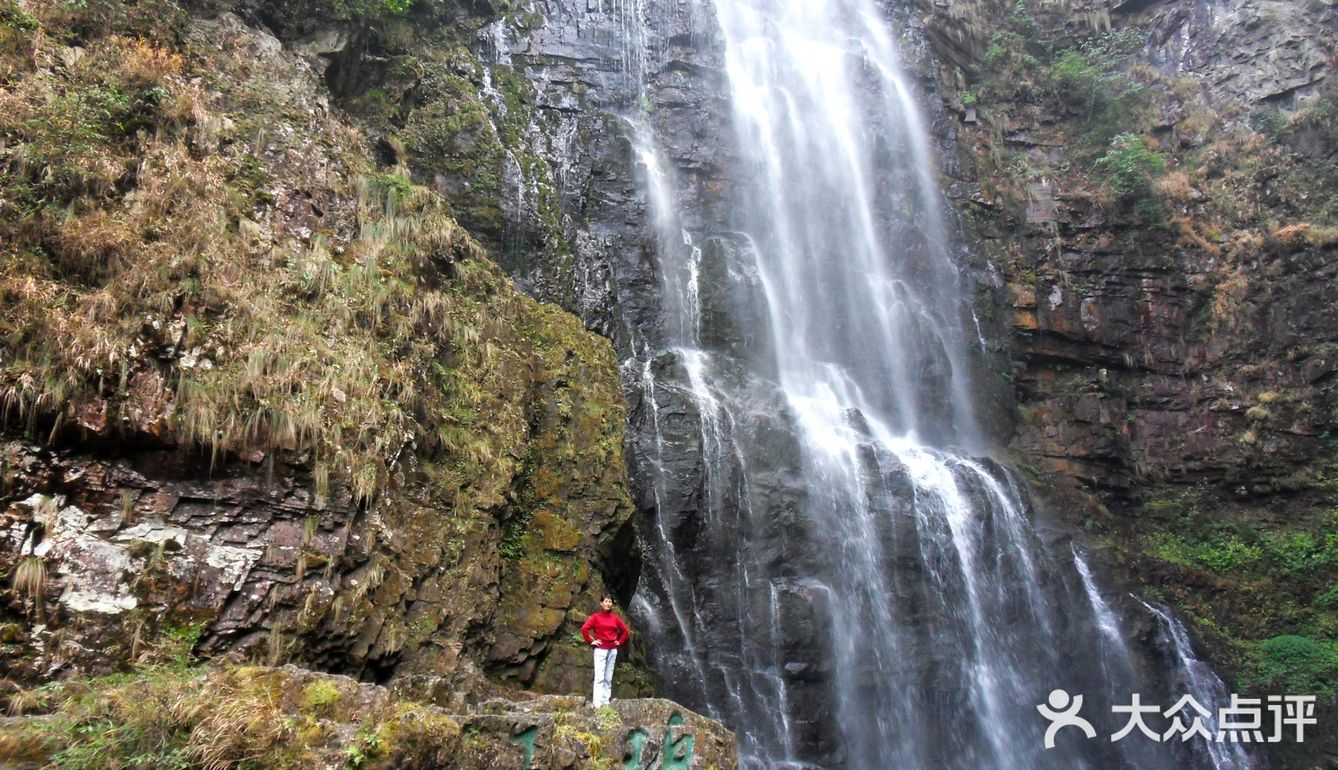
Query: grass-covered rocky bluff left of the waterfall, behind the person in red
x,y
266,394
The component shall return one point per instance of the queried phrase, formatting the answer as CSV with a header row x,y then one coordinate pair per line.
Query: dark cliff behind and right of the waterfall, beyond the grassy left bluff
x,y
1147,192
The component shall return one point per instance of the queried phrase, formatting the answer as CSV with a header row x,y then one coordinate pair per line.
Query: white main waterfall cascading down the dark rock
x,y
830,568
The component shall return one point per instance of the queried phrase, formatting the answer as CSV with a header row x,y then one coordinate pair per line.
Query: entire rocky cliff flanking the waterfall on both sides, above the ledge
x,y
264,392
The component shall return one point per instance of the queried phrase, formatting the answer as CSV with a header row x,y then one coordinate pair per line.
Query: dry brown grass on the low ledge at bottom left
x,y
223,720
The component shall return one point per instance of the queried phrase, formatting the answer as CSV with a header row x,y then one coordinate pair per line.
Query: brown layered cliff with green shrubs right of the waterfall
x,y
1157,184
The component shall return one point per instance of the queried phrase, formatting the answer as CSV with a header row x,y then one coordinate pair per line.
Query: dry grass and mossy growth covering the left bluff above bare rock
x,y
184,310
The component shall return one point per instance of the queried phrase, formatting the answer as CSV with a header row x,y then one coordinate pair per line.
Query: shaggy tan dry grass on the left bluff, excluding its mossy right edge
x,y
132,248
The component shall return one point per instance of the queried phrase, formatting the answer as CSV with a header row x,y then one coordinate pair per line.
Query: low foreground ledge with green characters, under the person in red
x,y
291,718
